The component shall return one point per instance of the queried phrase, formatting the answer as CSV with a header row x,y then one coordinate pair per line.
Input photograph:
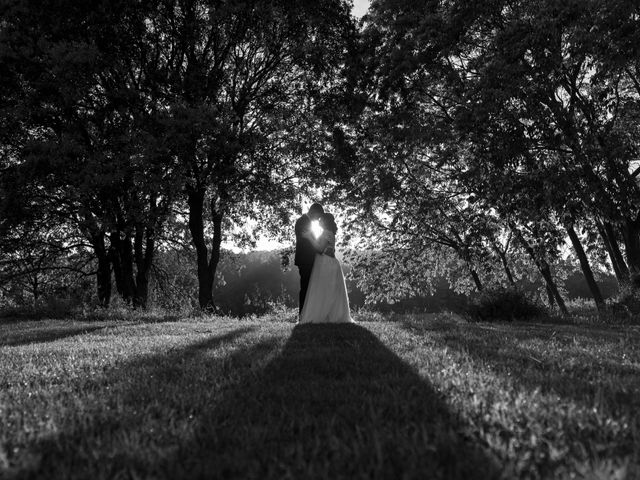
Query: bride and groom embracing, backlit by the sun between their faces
x,y
323,292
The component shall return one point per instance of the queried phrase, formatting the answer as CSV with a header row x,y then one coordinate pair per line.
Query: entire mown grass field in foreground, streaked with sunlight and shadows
x,y
425,397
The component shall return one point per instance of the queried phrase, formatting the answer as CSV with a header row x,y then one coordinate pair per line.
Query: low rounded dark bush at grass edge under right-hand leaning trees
x,y
504,305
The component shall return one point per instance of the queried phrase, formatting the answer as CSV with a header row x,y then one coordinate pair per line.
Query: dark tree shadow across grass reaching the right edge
x,y
521,352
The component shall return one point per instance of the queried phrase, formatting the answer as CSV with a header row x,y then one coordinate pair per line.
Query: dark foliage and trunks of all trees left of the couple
x,y
125,120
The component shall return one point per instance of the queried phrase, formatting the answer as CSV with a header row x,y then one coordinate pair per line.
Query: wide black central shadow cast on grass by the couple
x,y
335,403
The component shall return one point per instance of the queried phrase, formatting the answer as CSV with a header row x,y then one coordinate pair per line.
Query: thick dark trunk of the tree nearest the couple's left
x,y
195,200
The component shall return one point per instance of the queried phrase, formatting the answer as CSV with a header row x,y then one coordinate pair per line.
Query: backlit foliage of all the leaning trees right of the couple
x,y
495,128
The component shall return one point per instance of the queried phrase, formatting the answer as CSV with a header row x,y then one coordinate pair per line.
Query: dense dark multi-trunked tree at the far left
x,y
83,136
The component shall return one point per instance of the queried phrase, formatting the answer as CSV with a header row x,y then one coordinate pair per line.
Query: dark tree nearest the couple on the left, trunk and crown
x,y
235,79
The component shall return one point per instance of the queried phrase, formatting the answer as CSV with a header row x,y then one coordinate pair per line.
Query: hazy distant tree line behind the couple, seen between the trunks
x,y
256,283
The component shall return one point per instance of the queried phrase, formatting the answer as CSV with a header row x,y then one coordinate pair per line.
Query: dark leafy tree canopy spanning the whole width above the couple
x,y
484,141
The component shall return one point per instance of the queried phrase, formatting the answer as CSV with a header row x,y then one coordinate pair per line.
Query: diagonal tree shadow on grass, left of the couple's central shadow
x,y
137,411
